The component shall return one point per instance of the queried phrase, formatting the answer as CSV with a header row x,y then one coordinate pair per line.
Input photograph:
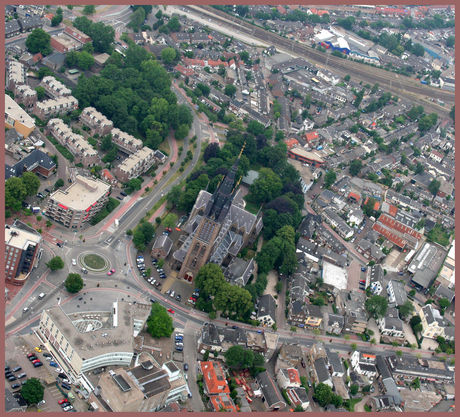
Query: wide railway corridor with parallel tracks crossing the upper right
x,y
396,84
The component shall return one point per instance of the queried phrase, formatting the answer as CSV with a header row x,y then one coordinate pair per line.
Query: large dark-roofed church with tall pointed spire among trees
x,y
218,228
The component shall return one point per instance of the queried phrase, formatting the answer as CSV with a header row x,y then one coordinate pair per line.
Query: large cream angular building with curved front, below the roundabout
x,y
90,340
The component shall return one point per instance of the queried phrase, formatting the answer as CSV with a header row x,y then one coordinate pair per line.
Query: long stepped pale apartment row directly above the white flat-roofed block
x,y
84,153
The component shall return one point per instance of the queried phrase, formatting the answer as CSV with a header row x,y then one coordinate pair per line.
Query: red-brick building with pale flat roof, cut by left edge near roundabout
x,y
22,252
